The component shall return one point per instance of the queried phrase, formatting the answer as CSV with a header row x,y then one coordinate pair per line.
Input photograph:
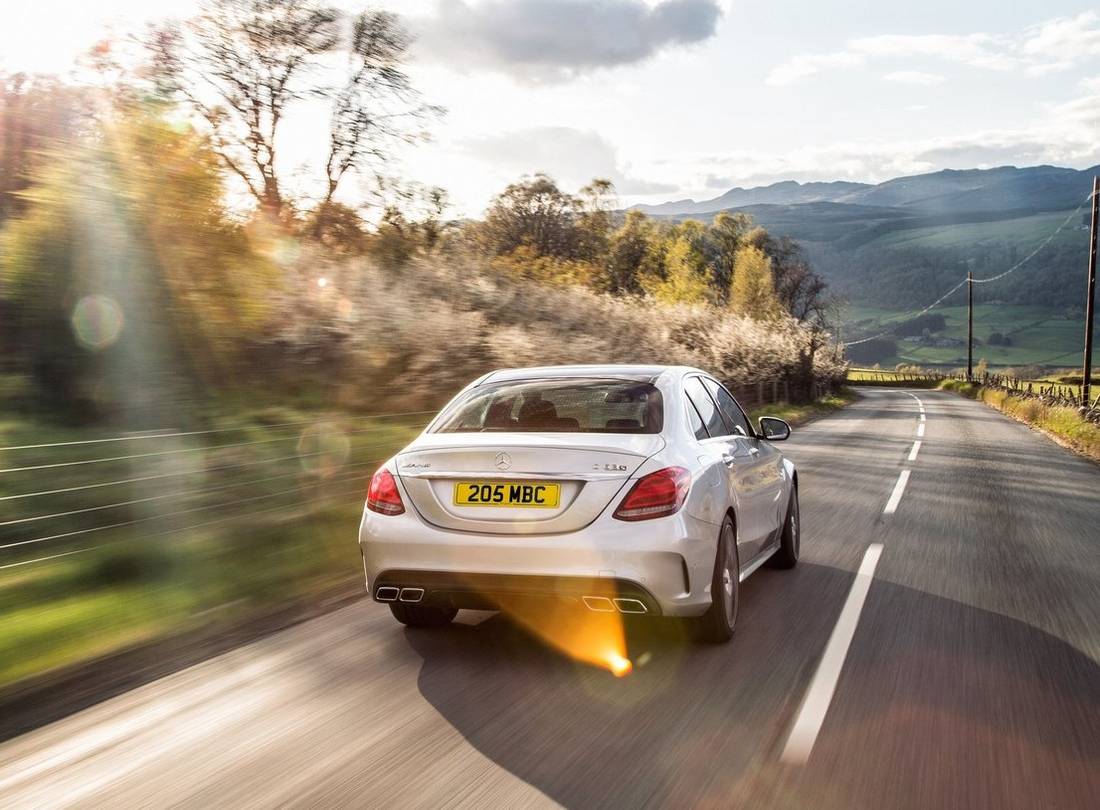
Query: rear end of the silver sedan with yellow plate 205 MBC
x,y
555,488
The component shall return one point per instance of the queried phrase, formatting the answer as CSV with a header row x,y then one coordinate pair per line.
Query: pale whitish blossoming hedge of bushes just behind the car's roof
x,y
438,324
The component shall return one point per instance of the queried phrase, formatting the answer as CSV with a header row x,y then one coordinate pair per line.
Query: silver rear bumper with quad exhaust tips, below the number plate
x,y
666,564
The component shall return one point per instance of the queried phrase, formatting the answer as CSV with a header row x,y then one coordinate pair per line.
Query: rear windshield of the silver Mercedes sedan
x,y
591,407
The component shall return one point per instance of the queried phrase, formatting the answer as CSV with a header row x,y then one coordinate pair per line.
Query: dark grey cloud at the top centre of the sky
x,y
558,40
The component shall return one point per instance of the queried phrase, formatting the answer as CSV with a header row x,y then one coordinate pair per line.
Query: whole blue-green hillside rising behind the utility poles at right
x,y
898,246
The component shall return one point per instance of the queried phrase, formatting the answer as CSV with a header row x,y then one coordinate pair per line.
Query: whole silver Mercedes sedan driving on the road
x,y
626,489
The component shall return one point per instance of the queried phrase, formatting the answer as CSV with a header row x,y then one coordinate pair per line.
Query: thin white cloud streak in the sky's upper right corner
x,y
1057,45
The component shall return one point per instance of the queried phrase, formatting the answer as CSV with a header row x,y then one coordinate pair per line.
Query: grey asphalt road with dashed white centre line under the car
x,y
967,677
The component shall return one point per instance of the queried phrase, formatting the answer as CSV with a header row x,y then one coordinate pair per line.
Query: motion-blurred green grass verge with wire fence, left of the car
x,y
245,532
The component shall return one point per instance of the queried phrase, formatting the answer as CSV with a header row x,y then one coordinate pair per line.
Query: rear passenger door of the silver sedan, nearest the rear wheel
x,y
725,451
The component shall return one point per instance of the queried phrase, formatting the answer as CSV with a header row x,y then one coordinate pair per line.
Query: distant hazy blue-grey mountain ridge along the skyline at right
x,y
950,192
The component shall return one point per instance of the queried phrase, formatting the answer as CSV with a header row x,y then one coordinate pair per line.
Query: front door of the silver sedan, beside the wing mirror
x,y
758,465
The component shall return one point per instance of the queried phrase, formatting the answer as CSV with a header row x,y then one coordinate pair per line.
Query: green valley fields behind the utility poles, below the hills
x,y
1040,337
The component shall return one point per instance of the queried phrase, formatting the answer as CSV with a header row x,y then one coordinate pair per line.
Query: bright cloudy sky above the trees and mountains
x,y
686,98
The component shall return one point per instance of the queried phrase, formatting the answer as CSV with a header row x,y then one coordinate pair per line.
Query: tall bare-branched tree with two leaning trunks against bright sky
x,y
241,64
